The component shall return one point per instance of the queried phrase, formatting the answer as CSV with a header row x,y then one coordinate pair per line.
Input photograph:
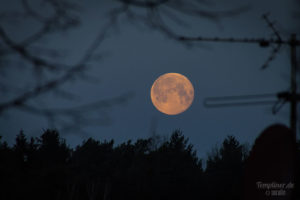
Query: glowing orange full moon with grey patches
x,y
172,93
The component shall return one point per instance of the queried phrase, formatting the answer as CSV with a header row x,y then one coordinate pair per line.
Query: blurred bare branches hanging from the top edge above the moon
x,y
157,13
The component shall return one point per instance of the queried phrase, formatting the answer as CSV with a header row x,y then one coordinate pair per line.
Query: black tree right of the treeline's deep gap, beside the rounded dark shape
x,y
224,170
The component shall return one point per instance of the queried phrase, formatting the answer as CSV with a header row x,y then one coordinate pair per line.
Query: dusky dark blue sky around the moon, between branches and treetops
x,y
135,57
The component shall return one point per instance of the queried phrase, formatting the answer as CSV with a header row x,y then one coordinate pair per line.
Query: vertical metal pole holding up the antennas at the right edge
x,y
293,106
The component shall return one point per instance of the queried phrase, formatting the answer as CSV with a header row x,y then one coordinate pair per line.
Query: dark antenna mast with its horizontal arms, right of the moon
x,y
290,96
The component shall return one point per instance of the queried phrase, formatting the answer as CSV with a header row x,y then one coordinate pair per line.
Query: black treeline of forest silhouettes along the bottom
x,y
153,168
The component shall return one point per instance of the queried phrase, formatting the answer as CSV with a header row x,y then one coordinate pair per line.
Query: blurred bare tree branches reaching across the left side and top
x,y
54,16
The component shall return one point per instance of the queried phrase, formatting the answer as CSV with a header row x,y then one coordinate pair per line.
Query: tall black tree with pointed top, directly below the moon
x,y
175,169
